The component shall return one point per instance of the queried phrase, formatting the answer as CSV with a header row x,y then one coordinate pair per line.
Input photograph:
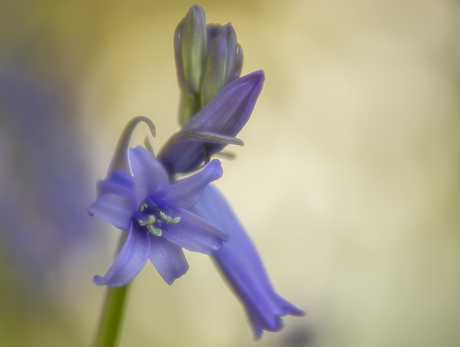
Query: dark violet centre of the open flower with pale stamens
x,y
152,218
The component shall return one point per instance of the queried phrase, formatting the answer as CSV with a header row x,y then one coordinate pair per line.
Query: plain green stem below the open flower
x,y
111,318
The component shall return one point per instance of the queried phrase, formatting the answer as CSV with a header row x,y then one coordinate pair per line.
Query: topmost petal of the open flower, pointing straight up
x,y
150,177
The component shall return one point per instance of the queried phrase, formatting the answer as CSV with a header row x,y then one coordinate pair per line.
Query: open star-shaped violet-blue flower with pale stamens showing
x,y
155,215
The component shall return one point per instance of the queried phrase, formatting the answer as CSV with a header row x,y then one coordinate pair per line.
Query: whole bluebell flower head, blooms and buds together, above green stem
x,y
161,214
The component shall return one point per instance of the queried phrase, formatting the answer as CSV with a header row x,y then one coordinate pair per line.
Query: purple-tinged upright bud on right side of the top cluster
x,y
224,62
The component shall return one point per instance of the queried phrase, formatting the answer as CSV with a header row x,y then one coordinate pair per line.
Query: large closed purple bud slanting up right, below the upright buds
x,y
225,114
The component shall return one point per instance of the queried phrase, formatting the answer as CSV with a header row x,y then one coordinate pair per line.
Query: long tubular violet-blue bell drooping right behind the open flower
x,y
241,265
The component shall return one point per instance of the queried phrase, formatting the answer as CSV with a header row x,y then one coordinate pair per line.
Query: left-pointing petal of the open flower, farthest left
x,y
115,207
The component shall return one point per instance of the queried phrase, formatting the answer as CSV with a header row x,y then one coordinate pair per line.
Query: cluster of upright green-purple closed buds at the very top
x,y
208,57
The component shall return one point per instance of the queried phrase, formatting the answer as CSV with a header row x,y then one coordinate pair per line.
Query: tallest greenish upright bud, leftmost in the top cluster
x,y
190,46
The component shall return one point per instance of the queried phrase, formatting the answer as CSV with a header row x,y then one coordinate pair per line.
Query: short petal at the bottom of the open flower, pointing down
x,y
168,259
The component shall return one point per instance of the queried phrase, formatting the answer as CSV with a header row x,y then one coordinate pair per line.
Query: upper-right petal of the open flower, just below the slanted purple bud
x,y
186,192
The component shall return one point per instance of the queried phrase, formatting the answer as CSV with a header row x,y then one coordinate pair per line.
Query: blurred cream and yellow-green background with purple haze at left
x,y
348,183
